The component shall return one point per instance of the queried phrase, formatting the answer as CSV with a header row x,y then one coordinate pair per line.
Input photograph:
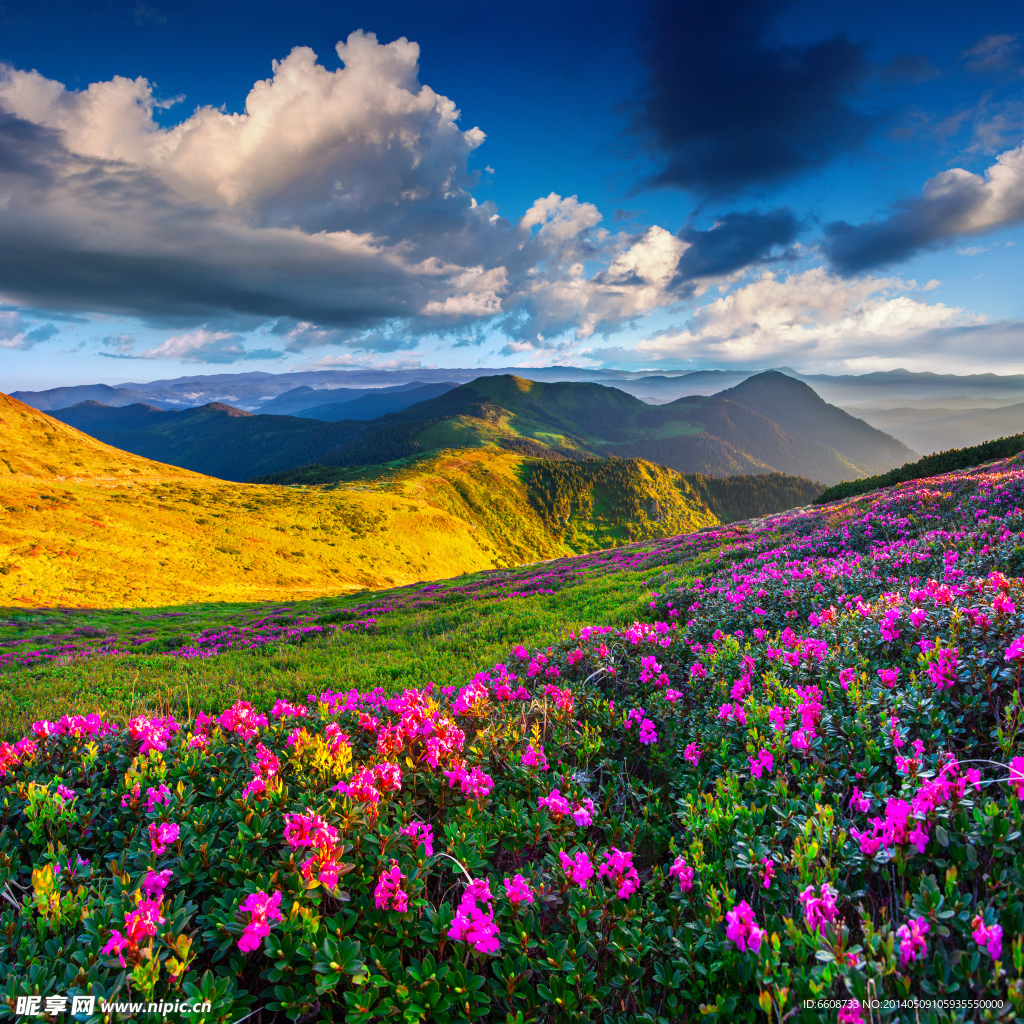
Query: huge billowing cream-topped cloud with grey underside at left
x,y
337,204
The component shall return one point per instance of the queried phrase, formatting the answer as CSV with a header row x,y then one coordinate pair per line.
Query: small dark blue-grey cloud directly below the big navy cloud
x,y
737,241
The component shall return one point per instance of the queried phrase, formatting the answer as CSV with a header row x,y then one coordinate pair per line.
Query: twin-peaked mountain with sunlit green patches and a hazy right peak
x,y
719,436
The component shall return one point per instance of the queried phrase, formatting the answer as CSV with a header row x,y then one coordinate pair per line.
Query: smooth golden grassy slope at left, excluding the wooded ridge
x,y
84,525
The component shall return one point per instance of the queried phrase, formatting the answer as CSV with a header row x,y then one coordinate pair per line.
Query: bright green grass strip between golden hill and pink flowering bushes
x,y
445,647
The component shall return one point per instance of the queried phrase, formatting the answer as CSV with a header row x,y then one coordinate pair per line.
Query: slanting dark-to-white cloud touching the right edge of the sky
x,y
953,204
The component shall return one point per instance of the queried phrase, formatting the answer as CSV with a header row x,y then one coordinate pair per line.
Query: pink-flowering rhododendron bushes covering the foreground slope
x,y
799,777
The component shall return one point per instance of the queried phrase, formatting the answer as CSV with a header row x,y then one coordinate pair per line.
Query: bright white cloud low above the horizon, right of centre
x,y
812,317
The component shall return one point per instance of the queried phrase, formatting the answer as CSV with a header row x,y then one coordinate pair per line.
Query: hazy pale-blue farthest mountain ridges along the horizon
x,y
927,412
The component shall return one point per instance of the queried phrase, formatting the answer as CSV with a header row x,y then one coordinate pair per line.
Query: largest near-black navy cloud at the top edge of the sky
x,y
729,109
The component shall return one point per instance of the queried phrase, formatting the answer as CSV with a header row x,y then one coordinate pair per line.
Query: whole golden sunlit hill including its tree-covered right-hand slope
x,y
88,525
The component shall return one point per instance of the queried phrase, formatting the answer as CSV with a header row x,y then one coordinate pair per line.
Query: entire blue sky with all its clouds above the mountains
x,y
230,187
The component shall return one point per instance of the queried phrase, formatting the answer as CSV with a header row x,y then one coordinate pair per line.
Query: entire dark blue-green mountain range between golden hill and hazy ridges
x,y
767,423
